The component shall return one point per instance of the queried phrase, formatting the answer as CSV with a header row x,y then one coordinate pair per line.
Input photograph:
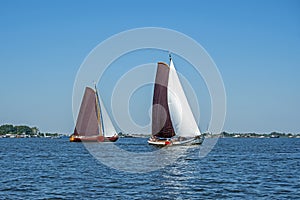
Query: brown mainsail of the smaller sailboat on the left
x,y
87,121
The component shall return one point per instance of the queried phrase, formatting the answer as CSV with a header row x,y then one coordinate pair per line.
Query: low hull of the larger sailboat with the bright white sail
x,y
197,140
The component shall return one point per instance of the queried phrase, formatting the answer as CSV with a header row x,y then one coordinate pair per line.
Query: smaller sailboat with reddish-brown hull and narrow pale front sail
x,y
93,123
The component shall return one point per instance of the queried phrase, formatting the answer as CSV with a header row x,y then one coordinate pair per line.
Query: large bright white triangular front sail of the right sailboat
x,y
182,118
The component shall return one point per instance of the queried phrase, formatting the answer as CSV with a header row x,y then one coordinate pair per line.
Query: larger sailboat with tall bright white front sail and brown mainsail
x,y
173,122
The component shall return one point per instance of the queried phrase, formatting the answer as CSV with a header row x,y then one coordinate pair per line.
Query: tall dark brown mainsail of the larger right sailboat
x,y
161,120
